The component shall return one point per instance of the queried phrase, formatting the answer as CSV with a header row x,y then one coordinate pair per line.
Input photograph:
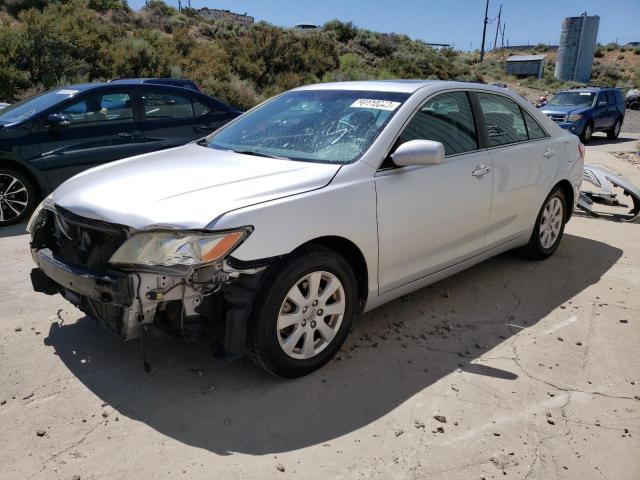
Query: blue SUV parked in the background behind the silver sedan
x,y
584,111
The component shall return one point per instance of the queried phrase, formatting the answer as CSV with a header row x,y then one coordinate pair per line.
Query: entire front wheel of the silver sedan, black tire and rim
x,y
277,321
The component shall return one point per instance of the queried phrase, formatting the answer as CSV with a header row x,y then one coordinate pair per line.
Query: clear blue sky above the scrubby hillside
x,y
456,22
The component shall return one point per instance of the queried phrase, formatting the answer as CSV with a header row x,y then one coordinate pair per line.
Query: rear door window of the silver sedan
x,y
503,119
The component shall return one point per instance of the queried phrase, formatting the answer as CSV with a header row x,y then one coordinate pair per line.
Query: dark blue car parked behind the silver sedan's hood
x,y
52,136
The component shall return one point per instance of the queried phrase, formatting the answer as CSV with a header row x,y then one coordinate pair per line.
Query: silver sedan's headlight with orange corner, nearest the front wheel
x,y
179,249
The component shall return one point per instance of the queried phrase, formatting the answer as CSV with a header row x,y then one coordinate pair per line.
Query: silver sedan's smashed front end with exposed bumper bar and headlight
x,y
183,282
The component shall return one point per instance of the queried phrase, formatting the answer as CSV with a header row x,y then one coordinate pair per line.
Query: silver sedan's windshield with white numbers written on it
x,y
335,126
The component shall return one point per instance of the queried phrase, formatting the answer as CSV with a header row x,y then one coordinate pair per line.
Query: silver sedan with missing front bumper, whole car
x,y
271,234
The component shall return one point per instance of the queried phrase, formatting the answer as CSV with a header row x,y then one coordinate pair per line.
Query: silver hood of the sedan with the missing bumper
x,y
185,187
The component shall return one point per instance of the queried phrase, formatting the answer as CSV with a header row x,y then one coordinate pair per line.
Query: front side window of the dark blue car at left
x,y
100,108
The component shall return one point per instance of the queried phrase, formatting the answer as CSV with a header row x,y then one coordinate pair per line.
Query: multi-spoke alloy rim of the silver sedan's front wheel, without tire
x,y
310,315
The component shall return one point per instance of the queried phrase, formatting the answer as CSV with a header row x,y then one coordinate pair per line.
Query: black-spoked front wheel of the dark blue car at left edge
x,y
17,197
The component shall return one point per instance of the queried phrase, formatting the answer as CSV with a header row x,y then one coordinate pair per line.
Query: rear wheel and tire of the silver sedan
x,y
542,246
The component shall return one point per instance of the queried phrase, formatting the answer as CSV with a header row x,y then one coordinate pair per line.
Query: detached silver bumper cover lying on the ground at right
x,y
606,181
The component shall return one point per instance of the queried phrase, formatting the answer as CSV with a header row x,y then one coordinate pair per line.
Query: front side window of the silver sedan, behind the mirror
x,y
447,119
